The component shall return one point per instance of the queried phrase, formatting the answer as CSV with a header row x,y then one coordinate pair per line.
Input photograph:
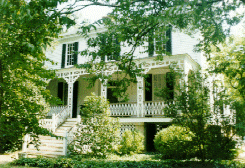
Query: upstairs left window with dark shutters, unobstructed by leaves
x,y
69,54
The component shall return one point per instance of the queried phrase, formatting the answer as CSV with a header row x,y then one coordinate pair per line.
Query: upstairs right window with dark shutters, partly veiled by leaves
x,y
157,44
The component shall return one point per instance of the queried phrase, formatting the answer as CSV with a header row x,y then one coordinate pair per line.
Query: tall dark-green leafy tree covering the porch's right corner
x,y
195,108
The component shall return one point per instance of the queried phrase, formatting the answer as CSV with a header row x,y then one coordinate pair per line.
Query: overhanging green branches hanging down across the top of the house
x,y
136,23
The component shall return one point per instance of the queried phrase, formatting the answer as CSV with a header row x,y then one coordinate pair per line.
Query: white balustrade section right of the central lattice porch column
x,y
153,108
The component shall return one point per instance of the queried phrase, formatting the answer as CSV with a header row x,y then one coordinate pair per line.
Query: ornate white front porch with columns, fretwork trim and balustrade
x,y
71,87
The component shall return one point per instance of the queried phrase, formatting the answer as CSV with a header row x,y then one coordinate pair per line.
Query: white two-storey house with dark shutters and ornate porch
x,y
143,111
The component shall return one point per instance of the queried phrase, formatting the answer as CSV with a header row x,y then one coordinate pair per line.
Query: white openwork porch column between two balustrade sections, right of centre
x,y
140,96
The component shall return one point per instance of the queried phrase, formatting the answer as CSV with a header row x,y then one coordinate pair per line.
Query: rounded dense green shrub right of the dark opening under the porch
x,y
174,142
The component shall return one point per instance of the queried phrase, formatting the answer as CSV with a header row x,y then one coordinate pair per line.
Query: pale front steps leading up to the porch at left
x,y
51,146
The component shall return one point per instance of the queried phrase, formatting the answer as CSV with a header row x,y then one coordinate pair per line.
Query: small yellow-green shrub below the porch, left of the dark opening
x,y
132,142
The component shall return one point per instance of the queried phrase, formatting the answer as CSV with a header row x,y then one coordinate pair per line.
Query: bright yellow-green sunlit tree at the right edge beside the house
x,y
229,63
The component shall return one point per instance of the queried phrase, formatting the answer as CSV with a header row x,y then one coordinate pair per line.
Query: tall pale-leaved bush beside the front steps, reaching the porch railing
x,y
98,130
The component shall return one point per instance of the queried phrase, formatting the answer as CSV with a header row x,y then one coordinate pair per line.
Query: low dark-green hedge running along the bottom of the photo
x,y
69,163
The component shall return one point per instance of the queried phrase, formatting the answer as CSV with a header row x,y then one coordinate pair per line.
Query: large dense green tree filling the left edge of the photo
x,y
26,29
